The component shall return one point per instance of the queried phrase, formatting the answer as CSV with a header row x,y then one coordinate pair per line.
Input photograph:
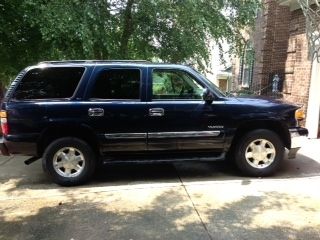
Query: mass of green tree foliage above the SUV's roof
x,y
164,30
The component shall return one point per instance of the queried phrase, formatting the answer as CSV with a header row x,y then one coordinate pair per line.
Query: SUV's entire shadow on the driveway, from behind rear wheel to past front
x,y
126,174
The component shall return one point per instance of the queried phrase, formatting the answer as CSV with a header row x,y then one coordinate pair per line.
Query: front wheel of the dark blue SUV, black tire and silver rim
x,y
250,163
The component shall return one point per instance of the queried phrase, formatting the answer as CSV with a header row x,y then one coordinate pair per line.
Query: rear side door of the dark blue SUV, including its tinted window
x,y
116,108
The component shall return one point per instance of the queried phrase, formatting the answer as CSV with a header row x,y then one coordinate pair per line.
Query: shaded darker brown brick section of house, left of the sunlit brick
x,y
270,43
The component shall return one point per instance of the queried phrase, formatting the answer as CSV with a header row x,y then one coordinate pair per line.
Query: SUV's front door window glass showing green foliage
x,y
175,84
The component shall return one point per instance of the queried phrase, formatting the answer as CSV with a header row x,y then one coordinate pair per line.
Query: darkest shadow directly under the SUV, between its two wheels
x,y
163,172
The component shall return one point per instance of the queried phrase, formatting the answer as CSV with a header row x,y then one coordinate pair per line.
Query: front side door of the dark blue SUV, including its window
x,y
178,118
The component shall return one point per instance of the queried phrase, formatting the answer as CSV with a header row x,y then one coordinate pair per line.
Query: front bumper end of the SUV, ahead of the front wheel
x,y
298,138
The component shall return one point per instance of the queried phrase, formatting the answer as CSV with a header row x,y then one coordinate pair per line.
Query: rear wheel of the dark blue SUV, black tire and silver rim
x,y
64,146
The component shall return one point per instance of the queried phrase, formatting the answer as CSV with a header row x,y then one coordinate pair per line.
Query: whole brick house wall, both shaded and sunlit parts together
x,y
281,48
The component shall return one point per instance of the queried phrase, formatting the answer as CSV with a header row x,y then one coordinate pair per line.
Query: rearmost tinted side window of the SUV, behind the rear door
x,y
44,83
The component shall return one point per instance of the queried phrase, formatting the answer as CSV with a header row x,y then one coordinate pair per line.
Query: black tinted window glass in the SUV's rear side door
x,y
117,84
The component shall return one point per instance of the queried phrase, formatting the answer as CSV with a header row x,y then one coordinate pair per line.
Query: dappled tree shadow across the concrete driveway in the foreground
x,y
169,215
